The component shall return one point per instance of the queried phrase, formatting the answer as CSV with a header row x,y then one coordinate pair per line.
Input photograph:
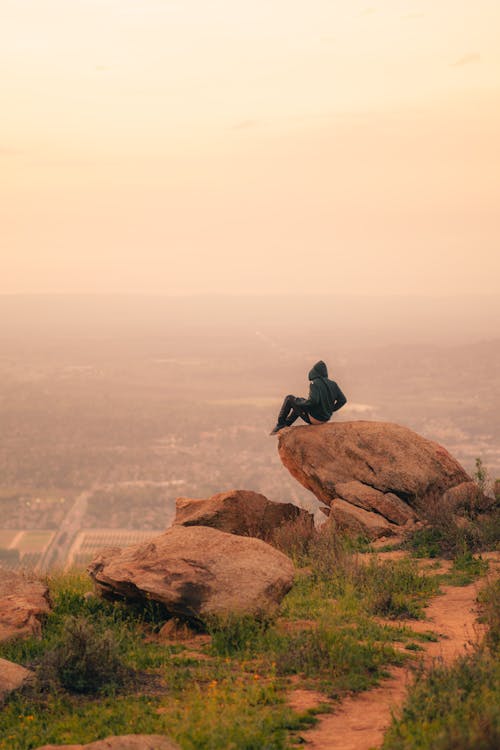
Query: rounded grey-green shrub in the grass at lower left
x,y
84,659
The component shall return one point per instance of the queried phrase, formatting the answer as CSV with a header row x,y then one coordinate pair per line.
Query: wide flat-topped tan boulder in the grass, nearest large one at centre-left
x,y
196,571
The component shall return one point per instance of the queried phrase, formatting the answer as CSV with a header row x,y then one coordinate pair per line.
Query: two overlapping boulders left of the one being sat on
x,y
212,561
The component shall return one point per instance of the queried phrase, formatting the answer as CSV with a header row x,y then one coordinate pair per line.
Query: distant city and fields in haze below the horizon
x,y
107,418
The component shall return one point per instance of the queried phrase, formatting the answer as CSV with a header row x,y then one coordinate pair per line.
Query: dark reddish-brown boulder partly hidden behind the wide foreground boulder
x,y
239,512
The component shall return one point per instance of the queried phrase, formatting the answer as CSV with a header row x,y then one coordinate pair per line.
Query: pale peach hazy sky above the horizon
x,y
234,145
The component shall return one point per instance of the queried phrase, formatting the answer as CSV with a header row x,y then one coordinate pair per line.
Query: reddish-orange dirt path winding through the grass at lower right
x,y
360,722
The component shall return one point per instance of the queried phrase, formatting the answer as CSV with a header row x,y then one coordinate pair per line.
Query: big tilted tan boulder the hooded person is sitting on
x,y
375,476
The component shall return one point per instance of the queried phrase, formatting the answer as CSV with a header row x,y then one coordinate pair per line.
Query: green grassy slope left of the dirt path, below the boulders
x,y
228,691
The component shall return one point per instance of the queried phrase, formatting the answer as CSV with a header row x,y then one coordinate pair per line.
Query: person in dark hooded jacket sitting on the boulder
x,y
325,397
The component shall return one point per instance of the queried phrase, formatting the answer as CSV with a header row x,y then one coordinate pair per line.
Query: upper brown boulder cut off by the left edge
x,y
23,604
